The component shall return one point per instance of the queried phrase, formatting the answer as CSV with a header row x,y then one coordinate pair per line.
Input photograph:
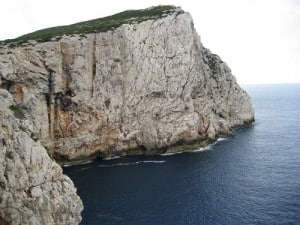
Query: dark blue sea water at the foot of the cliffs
x,y
253,178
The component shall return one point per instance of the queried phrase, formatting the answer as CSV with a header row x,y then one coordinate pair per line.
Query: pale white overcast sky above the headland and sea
x,y
259,39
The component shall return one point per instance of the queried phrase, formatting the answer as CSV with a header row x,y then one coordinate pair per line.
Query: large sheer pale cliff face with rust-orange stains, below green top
x,y
140,88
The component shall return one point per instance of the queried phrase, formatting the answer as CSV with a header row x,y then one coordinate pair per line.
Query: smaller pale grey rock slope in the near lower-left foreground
x,y
33,189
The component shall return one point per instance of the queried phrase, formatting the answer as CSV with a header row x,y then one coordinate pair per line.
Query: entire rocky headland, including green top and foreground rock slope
x,y
138,82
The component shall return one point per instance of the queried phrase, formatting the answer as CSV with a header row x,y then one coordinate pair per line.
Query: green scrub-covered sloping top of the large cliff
x,y
93,26
